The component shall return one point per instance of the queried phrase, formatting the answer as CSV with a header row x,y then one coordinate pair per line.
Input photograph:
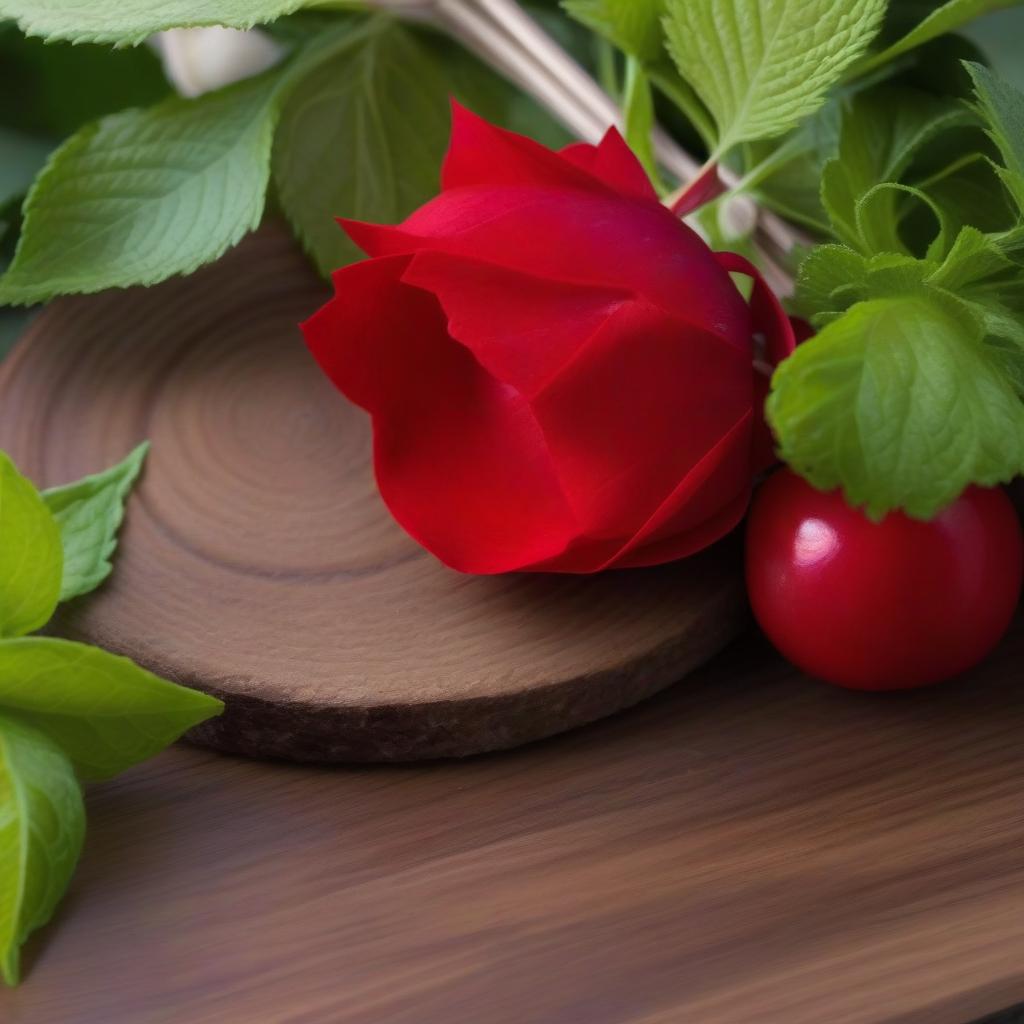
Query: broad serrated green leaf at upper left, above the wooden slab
x,y
146,195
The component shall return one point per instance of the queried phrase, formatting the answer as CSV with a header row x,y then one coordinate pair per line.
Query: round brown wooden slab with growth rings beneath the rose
x,y
258,562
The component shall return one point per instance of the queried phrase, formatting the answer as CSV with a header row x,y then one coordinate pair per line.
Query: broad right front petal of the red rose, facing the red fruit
x,y
635,412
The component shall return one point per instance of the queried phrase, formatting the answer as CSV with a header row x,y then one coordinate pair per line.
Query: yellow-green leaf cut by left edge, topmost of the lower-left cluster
x,y
30,556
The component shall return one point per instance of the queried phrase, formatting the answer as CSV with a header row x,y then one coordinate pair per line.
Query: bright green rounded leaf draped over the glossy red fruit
x,y
900,403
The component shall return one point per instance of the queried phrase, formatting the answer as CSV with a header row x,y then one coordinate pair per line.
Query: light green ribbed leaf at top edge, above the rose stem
x,y
763,66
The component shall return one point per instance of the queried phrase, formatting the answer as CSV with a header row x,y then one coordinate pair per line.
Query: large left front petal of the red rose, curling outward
x,y
460,459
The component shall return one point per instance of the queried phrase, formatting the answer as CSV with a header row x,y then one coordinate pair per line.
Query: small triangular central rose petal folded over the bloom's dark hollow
x,y
522,328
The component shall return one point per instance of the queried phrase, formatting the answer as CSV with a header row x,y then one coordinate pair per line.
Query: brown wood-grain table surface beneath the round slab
x,y
749,847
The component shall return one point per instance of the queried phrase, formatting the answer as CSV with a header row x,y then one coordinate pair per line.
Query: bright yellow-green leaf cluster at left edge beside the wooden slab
x,y
68,712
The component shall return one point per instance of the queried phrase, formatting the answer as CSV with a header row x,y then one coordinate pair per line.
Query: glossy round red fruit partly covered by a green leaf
x,y
879,607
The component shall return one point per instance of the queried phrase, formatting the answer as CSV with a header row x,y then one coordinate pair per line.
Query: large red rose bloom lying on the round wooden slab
x,y
560,371
